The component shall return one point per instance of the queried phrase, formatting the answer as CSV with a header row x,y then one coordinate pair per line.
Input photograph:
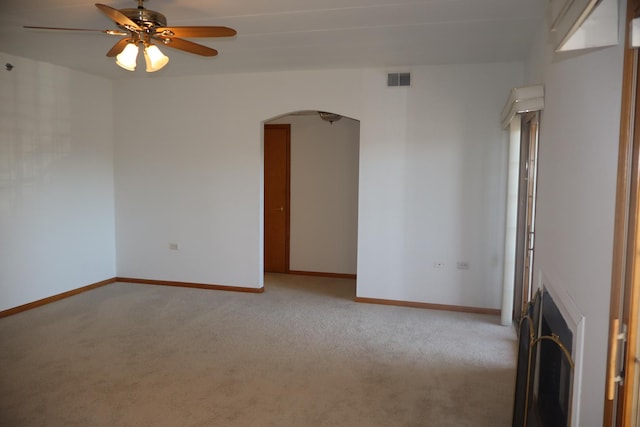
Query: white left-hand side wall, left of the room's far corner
x,y
56,181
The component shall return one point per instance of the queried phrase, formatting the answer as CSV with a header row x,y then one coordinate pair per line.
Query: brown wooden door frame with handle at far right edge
x,y
621,396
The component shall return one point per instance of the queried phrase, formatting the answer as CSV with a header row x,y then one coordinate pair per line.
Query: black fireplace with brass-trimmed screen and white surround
x,y
549,360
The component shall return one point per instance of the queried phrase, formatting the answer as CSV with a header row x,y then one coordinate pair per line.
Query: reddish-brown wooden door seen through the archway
x,y
277,148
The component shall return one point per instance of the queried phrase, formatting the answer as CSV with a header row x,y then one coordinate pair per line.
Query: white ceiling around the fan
x,y
285,34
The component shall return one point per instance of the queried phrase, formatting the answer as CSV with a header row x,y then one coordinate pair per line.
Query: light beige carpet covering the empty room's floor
x,y
301,354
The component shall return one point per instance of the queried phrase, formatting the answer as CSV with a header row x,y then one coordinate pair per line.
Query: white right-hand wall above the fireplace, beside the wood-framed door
x,y
576,193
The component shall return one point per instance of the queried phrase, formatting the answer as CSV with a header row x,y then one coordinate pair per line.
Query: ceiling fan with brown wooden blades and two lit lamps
x,y
145,27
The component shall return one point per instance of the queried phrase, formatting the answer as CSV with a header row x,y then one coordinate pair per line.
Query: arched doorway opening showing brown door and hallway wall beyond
x,y
320,206
